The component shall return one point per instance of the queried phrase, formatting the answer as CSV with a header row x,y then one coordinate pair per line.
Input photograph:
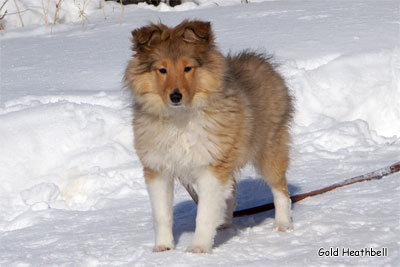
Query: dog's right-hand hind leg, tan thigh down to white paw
x,y
272,165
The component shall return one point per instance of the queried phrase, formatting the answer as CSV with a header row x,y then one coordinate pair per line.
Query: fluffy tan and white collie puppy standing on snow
x,y
200,117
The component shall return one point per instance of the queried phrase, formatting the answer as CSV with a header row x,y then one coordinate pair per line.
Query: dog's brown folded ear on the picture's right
x,y
197,32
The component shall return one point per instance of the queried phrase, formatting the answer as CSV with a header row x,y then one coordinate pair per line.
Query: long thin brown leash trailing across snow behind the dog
x,y
378,174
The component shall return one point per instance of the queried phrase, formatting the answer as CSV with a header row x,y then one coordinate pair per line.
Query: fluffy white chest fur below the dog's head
x,y
178,149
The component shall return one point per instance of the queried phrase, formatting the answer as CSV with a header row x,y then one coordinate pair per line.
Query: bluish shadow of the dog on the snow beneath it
x,y
250,193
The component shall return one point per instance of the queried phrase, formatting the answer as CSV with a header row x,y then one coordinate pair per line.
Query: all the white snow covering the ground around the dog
x,y
72,191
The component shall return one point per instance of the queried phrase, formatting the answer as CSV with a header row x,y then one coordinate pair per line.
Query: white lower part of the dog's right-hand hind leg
x,y
282,211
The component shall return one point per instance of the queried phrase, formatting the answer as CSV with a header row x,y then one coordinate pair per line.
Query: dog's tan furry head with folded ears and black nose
x,y
176,67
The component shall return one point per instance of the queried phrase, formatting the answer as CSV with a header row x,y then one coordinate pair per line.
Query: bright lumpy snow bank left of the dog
x,y
61,151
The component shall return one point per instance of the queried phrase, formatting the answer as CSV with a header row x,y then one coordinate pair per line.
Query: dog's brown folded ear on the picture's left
x,y
146,38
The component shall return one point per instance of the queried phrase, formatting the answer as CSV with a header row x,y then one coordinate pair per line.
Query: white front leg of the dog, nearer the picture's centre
x,y
210,211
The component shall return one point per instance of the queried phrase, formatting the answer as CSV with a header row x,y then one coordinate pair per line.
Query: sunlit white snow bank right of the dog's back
x,y
346,88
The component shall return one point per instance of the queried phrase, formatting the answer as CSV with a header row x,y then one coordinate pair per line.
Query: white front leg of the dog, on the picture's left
x,y
161,189
